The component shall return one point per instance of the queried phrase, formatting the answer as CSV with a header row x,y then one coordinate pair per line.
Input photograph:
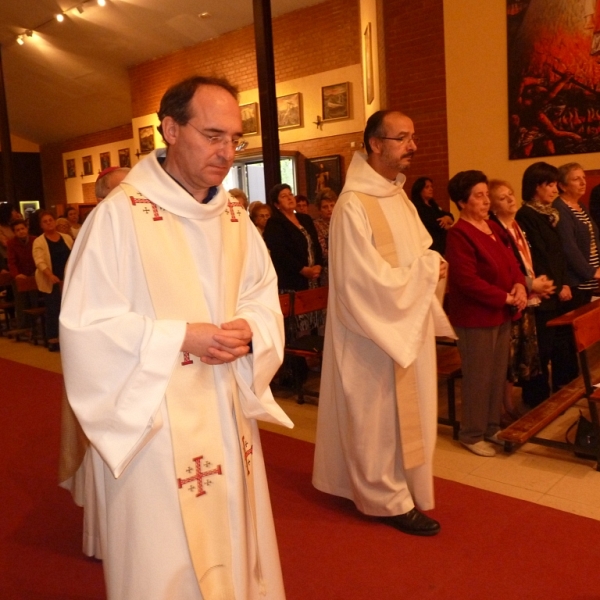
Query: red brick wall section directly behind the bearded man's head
x,y
416,82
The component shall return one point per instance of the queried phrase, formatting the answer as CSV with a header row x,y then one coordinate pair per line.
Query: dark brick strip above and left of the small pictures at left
x,y
53,169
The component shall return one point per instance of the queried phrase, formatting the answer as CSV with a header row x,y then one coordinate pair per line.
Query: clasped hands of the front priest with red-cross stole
x,y
218,345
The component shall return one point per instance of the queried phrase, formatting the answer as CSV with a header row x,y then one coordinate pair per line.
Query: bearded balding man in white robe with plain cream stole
x,y
378,401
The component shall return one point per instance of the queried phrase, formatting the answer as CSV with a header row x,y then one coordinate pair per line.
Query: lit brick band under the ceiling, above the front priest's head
x,y
306,41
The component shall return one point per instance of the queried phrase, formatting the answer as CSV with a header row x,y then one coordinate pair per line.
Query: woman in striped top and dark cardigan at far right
x,y
578,235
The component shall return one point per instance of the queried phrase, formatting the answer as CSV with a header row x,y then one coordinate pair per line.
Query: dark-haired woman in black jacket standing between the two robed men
x,y
293,243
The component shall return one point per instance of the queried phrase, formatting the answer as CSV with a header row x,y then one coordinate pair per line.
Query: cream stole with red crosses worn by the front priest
x,y
192,400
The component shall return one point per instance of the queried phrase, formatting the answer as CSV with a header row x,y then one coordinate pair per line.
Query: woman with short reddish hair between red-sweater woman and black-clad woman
x,y
524,362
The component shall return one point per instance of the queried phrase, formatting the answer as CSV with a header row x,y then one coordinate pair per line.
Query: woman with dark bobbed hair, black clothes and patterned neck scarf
x,y
539,219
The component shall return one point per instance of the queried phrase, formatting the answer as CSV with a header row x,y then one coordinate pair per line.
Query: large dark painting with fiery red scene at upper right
x,y
553,77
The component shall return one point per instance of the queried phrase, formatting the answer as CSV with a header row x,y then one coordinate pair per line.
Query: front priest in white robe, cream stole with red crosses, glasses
x,y
170,334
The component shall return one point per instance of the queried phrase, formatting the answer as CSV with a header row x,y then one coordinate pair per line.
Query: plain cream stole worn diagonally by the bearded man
x,y
407,393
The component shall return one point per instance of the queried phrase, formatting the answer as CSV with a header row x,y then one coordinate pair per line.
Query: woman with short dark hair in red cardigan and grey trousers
x,y
486,287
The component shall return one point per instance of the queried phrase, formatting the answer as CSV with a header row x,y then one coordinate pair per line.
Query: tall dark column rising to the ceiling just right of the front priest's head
x,y
265,63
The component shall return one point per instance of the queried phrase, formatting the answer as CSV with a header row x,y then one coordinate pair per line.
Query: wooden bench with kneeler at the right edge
x,y
585,323
